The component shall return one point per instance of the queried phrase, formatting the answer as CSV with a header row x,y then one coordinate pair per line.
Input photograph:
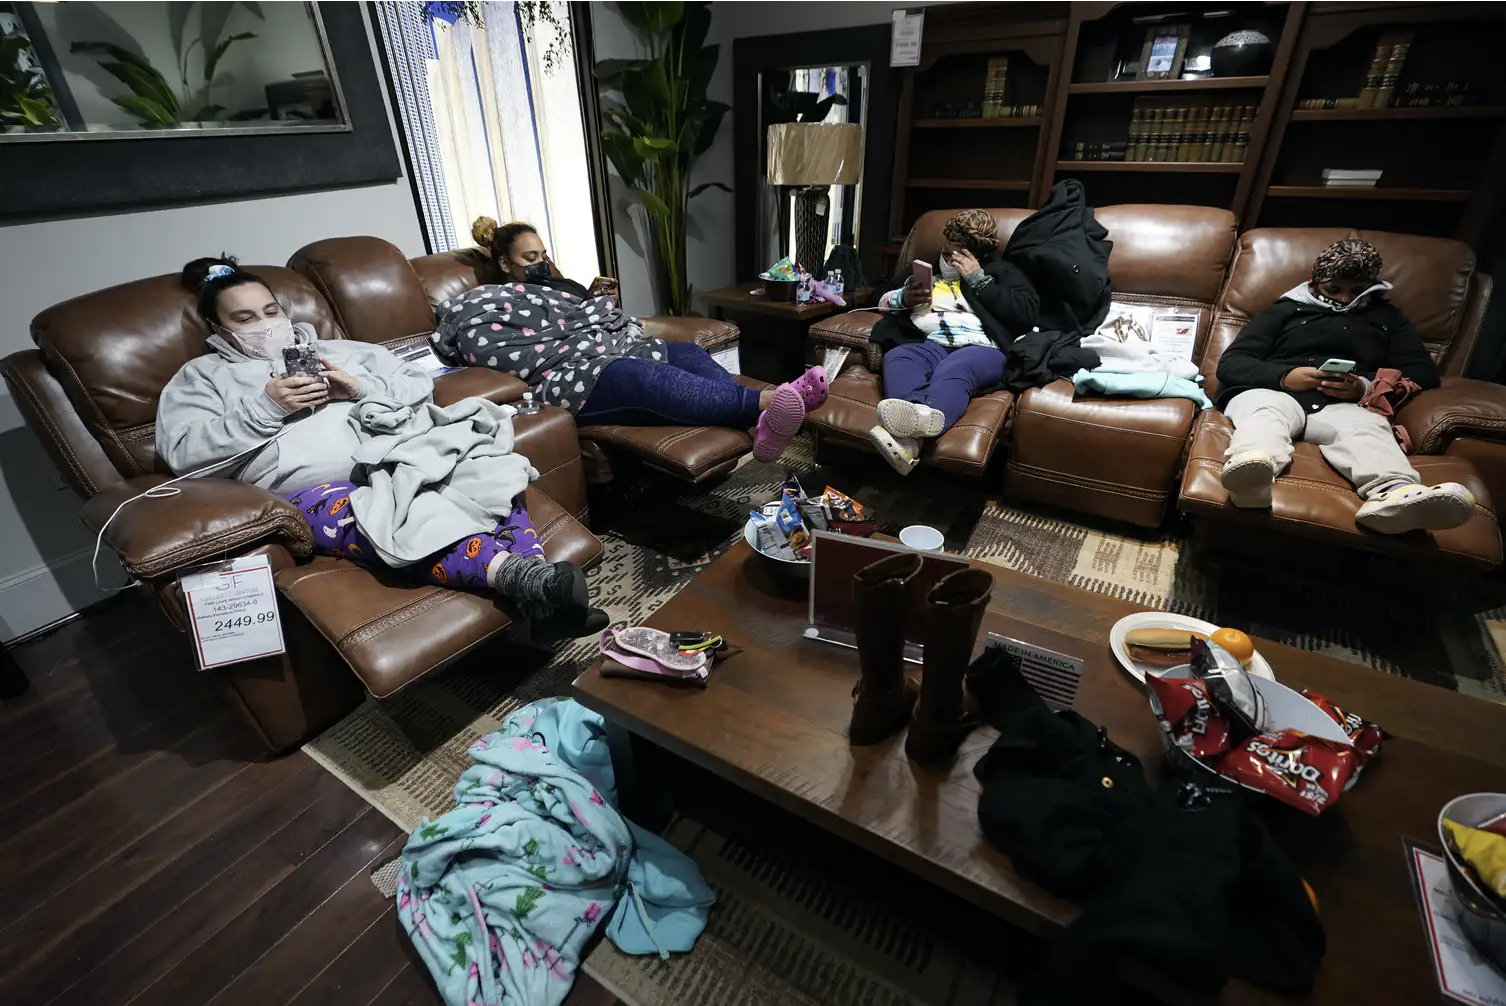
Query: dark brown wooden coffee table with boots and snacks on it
x,y
775,718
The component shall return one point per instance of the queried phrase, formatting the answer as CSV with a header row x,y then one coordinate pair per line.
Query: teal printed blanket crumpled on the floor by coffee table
x,y
501,894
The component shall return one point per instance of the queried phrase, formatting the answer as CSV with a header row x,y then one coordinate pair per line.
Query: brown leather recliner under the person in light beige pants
x,y
1459,431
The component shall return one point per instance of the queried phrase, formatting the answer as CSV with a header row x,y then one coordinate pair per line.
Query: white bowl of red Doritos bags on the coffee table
x,y
1294,746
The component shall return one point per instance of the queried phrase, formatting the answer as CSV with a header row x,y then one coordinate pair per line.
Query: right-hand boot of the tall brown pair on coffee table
x,y
947,713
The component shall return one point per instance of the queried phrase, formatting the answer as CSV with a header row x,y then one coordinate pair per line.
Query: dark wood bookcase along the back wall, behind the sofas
x,y
1442,169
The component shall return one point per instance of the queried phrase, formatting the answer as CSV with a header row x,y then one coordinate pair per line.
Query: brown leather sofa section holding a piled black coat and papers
x,y
1117,459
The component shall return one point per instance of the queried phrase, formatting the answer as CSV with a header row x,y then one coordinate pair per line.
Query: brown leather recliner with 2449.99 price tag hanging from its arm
x,y
90,391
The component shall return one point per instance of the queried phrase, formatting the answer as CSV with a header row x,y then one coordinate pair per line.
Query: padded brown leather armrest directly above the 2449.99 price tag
x,y
209,519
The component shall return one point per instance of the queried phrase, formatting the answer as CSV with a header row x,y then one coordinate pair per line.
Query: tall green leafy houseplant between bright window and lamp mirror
x,y
662,126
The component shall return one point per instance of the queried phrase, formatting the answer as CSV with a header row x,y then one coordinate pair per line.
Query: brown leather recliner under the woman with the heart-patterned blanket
x,y
383,297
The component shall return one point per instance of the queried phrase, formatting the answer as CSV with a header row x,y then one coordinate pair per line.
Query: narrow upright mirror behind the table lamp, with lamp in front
x,y
812,124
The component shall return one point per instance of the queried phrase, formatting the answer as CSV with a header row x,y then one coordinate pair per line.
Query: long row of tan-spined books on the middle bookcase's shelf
x,y
1171,130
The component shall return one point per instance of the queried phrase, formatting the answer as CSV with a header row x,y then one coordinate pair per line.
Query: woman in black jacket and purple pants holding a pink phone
x,y
948,344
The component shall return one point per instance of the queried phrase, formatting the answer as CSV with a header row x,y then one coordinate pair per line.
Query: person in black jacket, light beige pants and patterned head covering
x,y
1275,394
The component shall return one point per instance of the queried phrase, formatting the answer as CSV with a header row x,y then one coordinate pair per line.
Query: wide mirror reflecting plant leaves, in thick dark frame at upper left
x,y
82,70
